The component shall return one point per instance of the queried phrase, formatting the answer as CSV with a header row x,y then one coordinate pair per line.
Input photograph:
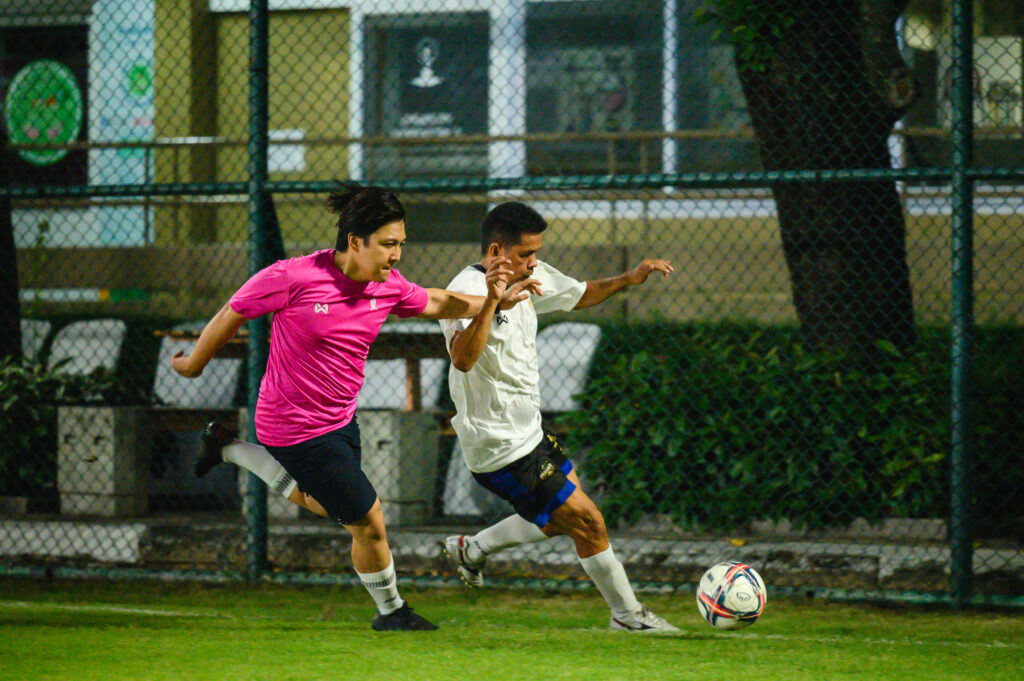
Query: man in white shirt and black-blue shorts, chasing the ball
x,y
494,384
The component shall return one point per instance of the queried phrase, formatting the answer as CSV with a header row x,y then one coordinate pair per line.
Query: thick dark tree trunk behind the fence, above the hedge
x,y
828,100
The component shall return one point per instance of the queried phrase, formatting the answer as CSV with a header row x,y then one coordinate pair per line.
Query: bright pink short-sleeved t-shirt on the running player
x,y
323,326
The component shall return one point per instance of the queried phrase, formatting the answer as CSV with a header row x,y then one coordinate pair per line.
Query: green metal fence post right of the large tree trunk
x,y
962,141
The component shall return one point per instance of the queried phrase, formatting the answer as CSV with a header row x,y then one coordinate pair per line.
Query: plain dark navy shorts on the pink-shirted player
x,y
327,469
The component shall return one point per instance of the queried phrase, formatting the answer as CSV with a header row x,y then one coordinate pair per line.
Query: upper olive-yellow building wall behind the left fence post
x,y
202,62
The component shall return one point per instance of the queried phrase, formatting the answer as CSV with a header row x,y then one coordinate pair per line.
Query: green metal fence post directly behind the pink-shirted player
x,y
259,98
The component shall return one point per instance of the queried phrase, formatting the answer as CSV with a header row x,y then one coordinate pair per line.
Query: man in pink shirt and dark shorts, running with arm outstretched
x,y
328,309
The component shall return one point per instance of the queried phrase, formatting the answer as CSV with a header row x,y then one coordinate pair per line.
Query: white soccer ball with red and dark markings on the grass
x,y
732,595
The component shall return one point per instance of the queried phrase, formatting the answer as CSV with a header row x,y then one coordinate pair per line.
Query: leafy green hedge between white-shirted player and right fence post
x,y
717,427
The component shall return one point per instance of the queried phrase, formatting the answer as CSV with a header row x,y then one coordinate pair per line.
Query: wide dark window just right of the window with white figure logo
x,y
593,68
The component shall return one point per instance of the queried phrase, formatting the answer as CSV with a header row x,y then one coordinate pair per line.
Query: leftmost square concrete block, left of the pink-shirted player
x,y
104,460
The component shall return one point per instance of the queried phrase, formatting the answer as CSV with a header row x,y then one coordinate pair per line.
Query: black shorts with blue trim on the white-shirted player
x,y
535,485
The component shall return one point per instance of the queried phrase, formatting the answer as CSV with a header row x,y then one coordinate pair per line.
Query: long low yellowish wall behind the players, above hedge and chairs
x,y
727,269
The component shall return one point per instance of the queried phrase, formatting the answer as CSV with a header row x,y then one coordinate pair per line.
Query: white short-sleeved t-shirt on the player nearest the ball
x,y
498,402
